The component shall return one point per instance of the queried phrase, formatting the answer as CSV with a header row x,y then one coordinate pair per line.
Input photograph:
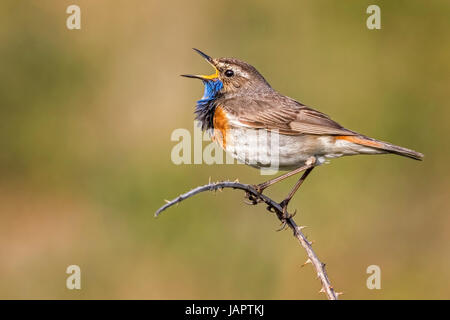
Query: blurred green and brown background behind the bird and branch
x,y
86,119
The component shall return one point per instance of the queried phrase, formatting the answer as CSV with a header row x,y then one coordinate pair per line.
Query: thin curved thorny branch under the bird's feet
x,y
273,206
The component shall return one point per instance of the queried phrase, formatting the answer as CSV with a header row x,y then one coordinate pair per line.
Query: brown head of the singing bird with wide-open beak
x,y
231,76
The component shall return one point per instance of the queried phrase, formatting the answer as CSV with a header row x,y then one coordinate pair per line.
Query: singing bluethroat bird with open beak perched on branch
x,y
239,103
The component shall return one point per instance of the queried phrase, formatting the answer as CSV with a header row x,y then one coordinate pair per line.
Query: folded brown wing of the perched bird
x,y
276,112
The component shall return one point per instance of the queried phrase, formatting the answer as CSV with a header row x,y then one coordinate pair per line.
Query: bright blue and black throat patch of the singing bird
x,y
206,106
